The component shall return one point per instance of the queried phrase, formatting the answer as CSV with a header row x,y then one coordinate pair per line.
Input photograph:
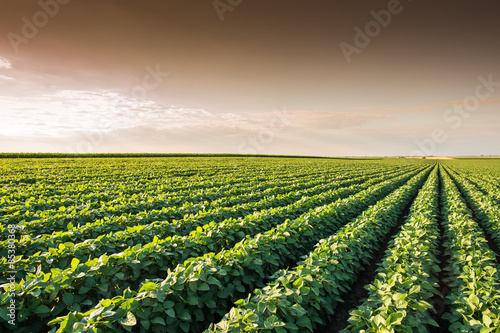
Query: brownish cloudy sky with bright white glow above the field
x,y
250,76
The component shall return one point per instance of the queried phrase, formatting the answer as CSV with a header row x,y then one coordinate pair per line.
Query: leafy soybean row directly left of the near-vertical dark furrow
x,y
399,298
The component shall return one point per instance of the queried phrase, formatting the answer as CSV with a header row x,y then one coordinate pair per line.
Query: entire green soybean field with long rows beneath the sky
x,y
249,244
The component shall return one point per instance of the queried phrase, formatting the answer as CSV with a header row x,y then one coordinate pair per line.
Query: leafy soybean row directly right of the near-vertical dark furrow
x,y
475,296
